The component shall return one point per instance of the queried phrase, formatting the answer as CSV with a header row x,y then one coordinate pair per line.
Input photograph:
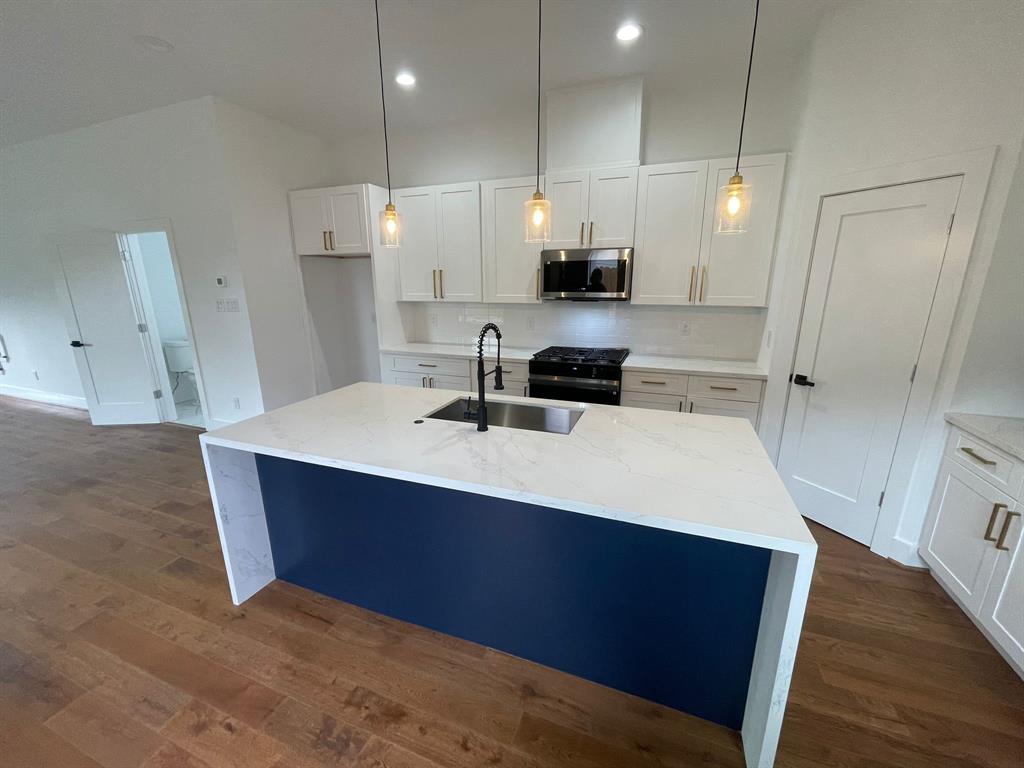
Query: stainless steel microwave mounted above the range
x,y
587,274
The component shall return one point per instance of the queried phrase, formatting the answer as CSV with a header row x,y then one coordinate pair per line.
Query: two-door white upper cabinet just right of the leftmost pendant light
x,y
440,257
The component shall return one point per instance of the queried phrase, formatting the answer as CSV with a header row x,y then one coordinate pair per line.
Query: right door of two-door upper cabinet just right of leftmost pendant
x,y
459,261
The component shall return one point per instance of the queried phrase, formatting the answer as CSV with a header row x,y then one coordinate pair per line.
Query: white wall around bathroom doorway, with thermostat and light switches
x,y
163,164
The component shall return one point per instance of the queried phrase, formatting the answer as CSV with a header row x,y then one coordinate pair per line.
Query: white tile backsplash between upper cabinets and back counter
x,y
712,332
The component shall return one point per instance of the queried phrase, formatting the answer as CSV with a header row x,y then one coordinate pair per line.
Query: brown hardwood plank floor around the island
x,y
120,648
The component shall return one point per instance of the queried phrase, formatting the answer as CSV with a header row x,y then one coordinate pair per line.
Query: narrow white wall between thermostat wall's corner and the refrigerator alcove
x,y
263,160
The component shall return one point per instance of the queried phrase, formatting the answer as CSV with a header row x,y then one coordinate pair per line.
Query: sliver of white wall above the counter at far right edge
x,y
992,380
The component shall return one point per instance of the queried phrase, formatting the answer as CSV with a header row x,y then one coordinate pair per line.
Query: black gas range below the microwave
x,y
578,374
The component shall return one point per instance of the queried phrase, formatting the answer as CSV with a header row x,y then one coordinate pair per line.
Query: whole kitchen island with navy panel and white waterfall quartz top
x,y
656,553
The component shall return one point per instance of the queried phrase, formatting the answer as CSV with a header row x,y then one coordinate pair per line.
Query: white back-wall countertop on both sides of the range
x,y
633,363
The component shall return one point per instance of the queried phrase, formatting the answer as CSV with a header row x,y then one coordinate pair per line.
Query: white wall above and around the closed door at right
x,y
890,82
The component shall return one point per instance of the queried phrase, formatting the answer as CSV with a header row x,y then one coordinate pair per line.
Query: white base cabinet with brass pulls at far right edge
x,y
972,541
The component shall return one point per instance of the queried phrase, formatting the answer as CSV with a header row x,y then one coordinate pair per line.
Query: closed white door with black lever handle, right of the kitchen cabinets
x,y
875,269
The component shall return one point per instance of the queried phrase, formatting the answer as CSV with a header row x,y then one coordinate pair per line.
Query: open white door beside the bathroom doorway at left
x,y
103,325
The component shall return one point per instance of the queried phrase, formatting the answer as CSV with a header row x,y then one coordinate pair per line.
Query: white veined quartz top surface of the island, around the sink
x,y
705,476
